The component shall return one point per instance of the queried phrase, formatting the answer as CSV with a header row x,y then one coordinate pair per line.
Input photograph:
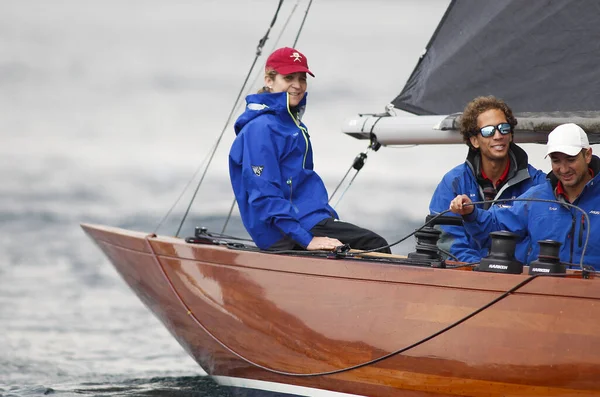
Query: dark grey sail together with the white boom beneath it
x,y
540,56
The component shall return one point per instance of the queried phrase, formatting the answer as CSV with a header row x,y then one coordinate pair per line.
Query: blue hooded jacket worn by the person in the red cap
x,y
271,171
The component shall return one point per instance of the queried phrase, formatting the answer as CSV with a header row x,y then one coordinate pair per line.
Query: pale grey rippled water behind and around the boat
x,y
107,109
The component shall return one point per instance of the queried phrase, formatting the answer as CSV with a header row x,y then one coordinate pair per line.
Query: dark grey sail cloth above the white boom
x,y
537,55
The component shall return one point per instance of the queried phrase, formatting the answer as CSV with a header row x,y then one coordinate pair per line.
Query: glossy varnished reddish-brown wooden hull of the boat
x,y
242,314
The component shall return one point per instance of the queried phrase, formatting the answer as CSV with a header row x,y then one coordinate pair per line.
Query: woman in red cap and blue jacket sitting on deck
x,y
283,202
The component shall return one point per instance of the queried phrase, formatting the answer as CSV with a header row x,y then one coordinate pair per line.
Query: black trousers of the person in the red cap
x,y
348,233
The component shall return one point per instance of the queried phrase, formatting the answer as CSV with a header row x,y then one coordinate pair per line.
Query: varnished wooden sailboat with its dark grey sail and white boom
x,y
368,324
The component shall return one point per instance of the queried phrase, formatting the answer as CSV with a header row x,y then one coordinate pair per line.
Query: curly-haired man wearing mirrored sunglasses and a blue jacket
x,y
495,168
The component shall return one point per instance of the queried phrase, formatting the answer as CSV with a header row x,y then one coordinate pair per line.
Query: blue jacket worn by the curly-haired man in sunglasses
x,y
463,180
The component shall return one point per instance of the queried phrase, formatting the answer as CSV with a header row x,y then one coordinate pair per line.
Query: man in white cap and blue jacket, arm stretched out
x,y
574,179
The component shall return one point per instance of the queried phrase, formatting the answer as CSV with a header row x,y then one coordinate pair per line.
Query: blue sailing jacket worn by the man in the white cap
x,y
548,221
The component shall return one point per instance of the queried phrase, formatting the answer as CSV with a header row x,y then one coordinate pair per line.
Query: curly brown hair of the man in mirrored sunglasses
x,y
468,120
